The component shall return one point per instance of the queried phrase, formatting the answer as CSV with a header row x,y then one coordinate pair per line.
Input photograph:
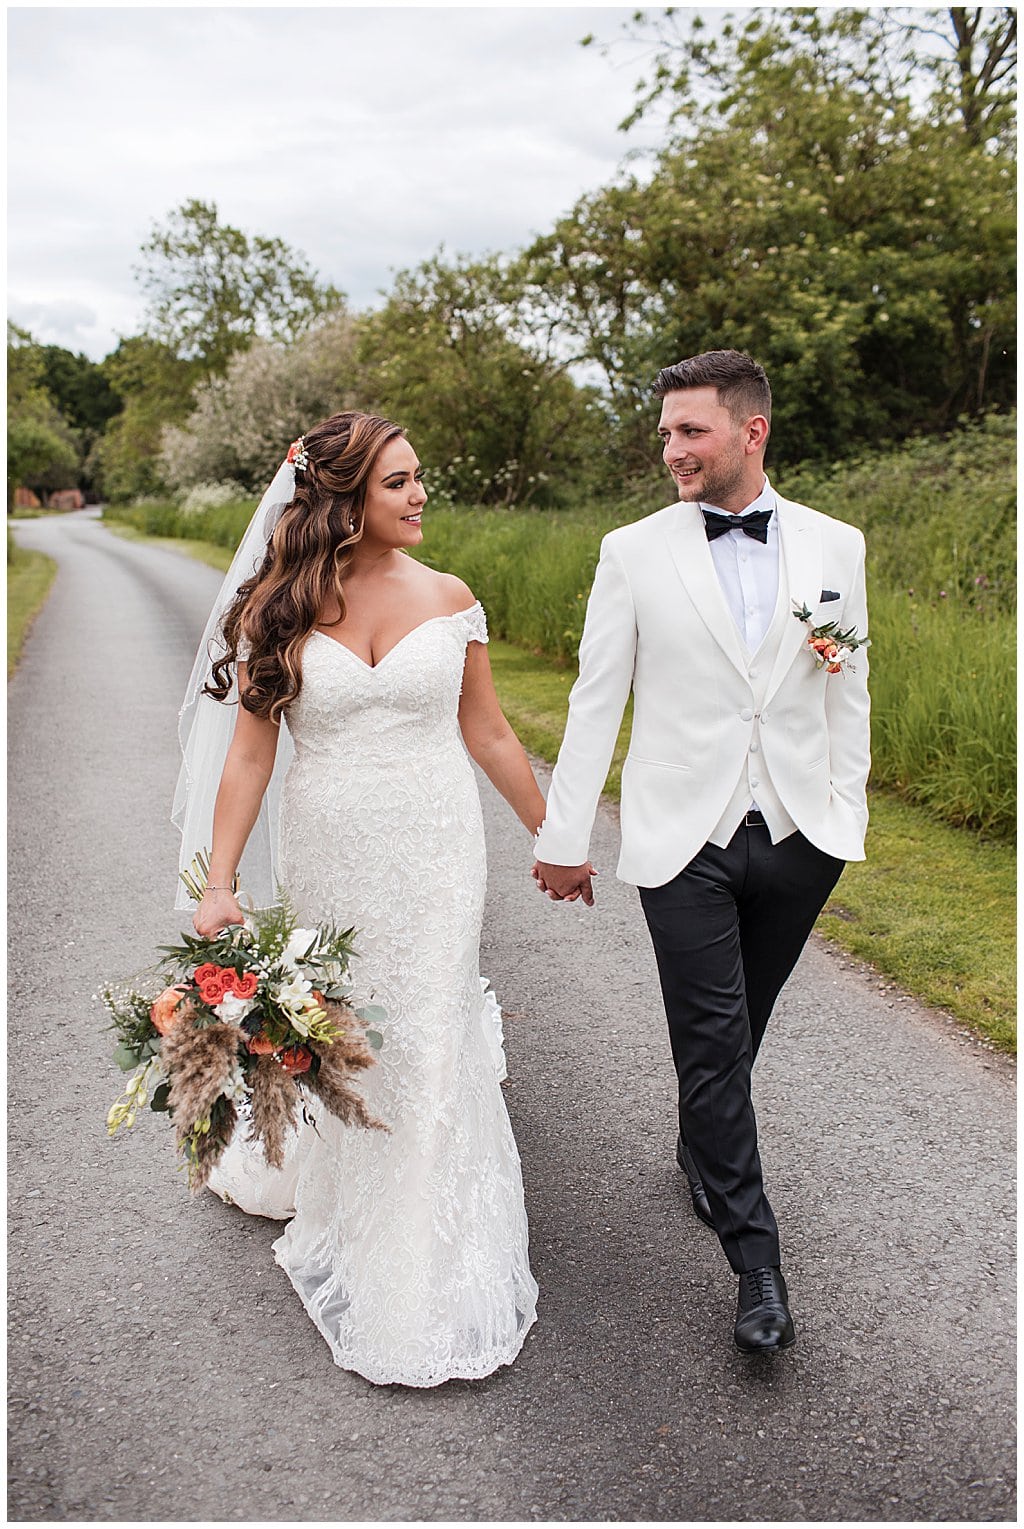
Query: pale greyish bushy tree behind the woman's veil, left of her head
x,y
244,421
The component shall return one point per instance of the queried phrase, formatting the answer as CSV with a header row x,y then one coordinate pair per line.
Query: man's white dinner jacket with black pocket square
x,y
658,625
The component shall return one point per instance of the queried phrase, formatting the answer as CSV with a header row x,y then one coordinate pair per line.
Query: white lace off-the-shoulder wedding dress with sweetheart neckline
x,y
409,1250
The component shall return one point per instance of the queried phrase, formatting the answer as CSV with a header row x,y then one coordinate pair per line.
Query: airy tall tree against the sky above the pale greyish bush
x,y
215,290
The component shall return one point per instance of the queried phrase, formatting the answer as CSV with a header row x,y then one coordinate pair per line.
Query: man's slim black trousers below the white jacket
x,y
727,933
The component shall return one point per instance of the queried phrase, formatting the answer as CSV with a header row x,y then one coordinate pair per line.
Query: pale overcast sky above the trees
x,y
365,138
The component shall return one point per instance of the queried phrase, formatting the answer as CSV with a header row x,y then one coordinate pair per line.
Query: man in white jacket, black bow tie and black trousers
x,y
744,791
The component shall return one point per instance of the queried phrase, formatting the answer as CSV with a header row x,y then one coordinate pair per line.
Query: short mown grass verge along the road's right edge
x,y
933,907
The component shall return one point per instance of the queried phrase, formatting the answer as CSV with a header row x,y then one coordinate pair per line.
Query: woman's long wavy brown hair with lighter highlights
x,y
306,562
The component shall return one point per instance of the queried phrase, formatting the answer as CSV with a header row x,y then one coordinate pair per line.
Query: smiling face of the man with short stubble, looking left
x,y
707,450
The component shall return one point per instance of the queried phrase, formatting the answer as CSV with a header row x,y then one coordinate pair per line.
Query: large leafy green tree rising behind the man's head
x,y
812,210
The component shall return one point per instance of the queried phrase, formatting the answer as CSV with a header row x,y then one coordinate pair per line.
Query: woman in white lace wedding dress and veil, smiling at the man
x,y
366,674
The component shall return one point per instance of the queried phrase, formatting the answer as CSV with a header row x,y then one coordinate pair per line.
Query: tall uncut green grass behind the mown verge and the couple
x,y
941,525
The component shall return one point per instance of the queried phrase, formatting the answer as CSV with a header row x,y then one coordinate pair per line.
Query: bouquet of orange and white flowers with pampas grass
x,y
248,1021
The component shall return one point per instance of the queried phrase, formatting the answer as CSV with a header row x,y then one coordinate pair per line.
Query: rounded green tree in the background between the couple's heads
x,y
465,362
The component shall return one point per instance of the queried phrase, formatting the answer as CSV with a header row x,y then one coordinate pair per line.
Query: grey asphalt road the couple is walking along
x,y
160,1363
